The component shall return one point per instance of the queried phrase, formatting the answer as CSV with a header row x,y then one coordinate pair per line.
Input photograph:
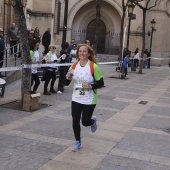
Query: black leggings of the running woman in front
x,y
84,112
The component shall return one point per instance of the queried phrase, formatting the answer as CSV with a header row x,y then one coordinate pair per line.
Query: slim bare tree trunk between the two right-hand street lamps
x,y
143,41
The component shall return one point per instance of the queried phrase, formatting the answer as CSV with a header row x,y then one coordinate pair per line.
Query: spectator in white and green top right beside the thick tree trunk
x,y
35,57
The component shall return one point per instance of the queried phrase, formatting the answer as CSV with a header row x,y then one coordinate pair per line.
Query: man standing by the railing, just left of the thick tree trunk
x,y
13,38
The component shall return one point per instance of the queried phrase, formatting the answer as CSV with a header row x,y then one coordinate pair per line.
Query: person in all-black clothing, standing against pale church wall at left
x,y
46,40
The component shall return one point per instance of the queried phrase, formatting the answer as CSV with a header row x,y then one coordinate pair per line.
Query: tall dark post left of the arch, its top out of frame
x,y
64,28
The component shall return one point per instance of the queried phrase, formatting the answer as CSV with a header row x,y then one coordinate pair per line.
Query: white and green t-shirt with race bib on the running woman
x,y
83,74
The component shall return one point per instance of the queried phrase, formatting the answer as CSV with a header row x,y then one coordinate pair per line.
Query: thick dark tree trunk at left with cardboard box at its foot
x,y
23,39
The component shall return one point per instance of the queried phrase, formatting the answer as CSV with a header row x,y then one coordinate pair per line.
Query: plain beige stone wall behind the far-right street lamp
x,y
161,37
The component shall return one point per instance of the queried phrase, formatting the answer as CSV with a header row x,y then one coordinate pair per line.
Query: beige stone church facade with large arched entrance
x,y
81,23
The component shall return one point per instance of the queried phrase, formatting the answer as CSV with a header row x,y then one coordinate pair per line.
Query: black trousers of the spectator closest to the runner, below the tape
x,y
62,75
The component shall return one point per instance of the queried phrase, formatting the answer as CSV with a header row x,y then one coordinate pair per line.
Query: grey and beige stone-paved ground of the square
x,y
130,135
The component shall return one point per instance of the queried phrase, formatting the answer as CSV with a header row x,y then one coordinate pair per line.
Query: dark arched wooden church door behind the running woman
x,y
90,34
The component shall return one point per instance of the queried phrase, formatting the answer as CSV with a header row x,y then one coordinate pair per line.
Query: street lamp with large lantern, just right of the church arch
x,y
131,7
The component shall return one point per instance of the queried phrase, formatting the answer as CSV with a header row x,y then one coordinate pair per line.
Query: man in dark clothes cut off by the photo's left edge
x,y
2,48
